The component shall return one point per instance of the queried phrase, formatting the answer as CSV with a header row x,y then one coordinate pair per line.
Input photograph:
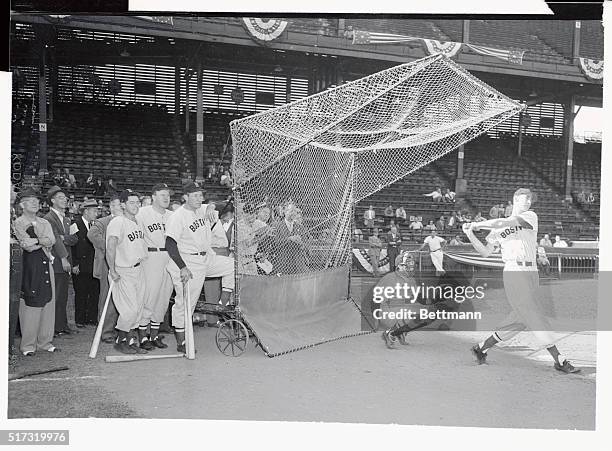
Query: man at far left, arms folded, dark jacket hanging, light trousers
x,y
37,308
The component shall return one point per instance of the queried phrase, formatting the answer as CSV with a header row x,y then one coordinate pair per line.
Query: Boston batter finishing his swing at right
x,y
516,235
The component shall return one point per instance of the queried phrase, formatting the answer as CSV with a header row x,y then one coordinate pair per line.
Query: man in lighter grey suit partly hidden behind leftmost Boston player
x,y
97,236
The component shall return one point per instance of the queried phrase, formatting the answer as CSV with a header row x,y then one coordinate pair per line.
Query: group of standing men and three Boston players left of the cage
x,y
138,253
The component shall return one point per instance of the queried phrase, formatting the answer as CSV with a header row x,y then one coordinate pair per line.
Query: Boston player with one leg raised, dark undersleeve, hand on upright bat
x,y
188,242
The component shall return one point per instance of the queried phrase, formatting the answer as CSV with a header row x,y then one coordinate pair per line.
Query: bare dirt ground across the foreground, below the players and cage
x,y
433,381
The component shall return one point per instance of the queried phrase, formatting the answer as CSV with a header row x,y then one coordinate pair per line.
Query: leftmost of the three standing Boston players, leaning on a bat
x,y
125,252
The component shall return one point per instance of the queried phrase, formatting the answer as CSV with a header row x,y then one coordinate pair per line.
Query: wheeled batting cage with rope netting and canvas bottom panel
x,y
299,170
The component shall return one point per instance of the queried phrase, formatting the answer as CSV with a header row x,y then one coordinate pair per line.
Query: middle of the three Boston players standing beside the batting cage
x,y
158,285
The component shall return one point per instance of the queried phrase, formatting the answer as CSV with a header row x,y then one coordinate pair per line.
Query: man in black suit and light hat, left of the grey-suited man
x,y
86,286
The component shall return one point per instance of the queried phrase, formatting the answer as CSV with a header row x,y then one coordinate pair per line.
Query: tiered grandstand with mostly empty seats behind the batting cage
x,y
117,90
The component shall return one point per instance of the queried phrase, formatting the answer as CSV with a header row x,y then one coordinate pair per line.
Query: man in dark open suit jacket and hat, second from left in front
x,y
61,252
